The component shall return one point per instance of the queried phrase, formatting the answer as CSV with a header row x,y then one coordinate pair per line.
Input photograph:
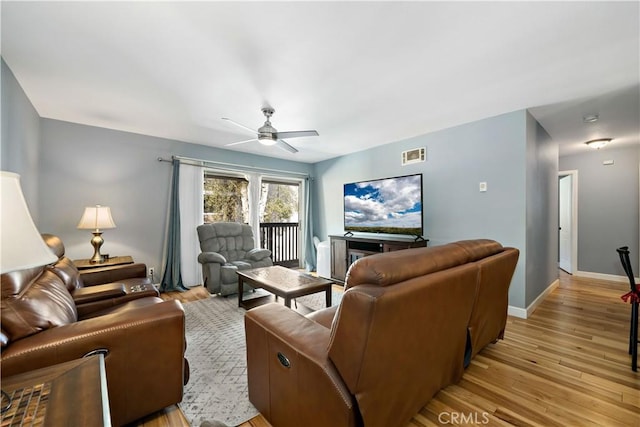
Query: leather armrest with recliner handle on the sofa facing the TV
x,y
277,336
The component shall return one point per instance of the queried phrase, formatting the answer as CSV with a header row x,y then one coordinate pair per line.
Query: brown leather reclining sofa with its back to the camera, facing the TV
x,y
406,323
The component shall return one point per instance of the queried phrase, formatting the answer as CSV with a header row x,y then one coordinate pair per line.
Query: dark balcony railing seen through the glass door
x,y
283,240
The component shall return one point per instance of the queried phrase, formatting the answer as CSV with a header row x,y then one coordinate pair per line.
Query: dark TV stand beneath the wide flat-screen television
x,y
346,249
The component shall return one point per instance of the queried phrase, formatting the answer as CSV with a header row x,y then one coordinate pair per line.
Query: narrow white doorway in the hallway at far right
x,y
568,221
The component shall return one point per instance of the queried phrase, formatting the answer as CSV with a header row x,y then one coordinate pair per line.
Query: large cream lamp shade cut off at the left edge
x,y
22,246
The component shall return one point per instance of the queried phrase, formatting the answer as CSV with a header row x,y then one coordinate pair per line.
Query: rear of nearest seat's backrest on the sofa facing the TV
x,y
401,344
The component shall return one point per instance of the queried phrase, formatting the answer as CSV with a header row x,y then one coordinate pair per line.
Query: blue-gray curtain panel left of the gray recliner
x,y
172,278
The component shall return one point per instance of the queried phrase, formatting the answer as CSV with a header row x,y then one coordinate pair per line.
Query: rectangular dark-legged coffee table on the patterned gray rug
x,y
282,282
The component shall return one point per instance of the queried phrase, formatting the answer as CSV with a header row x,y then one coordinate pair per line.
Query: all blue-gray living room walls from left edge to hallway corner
x,y
81,165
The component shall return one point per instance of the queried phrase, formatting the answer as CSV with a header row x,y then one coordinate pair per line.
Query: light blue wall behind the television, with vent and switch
x,y
458,159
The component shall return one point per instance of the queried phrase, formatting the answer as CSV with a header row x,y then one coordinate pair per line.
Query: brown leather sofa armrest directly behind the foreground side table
x,y
141,343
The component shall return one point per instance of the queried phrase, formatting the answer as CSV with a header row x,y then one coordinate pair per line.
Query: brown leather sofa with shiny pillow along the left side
x,y
49,316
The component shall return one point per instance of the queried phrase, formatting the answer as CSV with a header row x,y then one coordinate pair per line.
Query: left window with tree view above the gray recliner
x,y
226,198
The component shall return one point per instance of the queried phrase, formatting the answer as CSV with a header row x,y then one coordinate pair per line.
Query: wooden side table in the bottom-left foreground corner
x,y
69,394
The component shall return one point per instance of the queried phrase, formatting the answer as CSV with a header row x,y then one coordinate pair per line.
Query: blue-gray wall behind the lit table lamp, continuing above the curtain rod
x,y
84,165
